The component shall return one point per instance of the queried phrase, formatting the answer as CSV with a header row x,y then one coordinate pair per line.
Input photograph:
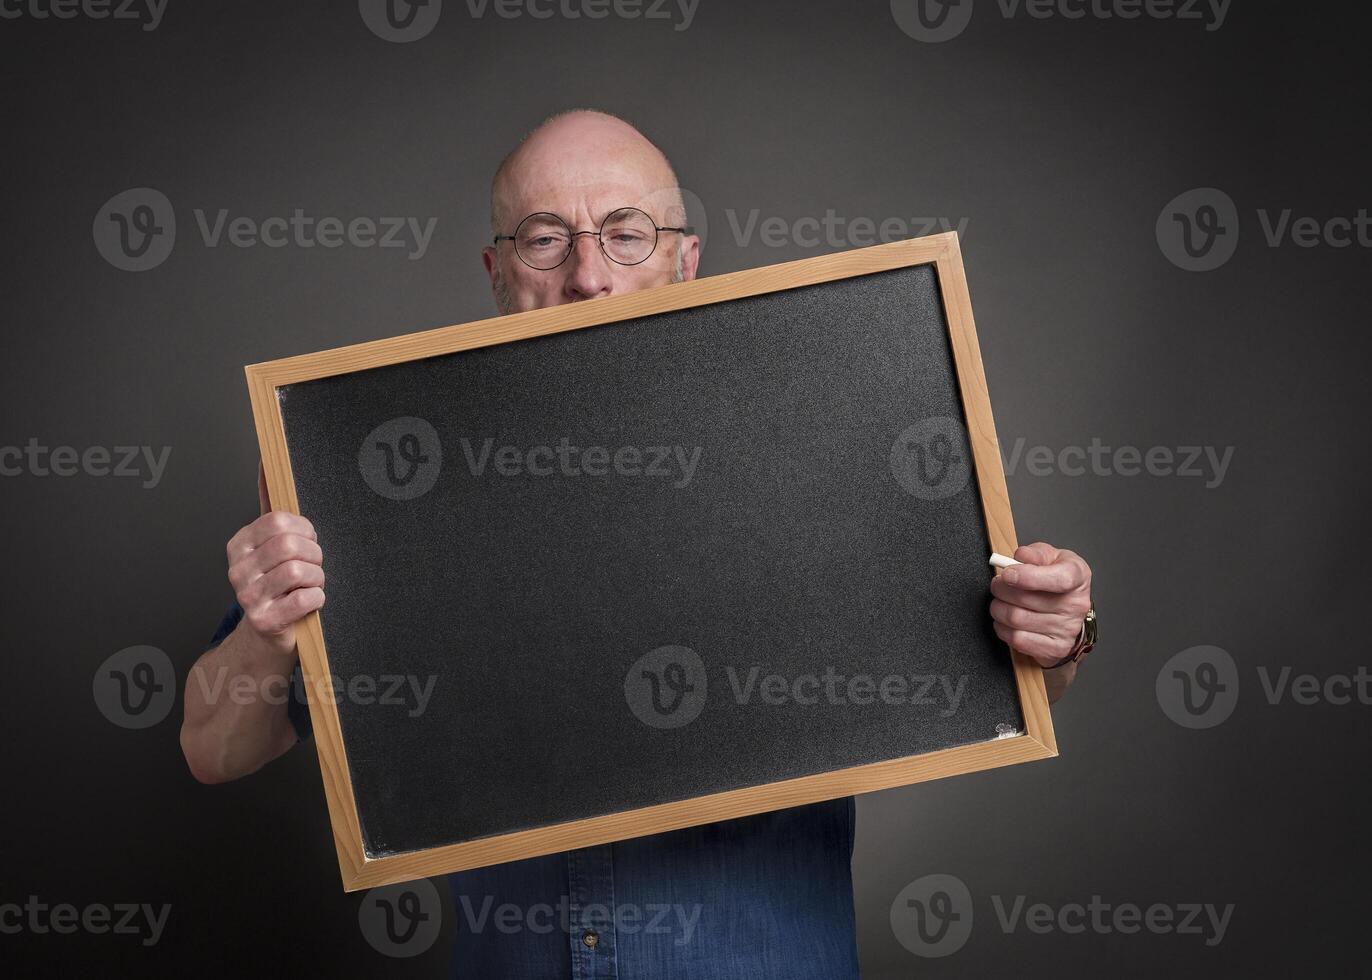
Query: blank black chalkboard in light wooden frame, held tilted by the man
x,y
670,559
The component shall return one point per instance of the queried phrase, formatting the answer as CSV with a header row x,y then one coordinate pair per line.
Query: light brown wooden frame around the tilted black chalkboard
x,y
1038,740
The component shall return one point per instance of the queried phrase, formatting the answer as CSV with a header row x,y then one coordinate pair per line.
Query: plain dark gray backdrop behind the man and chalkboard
x,y
1064,148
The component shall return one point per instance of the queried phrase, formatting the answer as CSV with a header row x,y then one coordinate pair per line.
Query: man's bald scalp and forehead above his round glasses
x,y
582,149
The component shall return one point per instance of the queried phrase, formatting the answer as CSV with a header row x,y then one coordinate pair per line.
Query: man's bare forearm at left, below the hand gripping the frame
x,y
237,719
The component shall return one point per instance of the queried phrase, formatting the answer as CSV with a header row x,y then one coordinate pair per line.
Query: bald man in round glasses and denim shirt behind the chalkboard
x,y
764,897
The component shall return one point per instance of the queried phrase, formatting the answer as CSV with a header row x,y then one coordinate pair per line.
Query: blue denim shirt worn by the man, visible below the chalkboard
x,y
747,900
